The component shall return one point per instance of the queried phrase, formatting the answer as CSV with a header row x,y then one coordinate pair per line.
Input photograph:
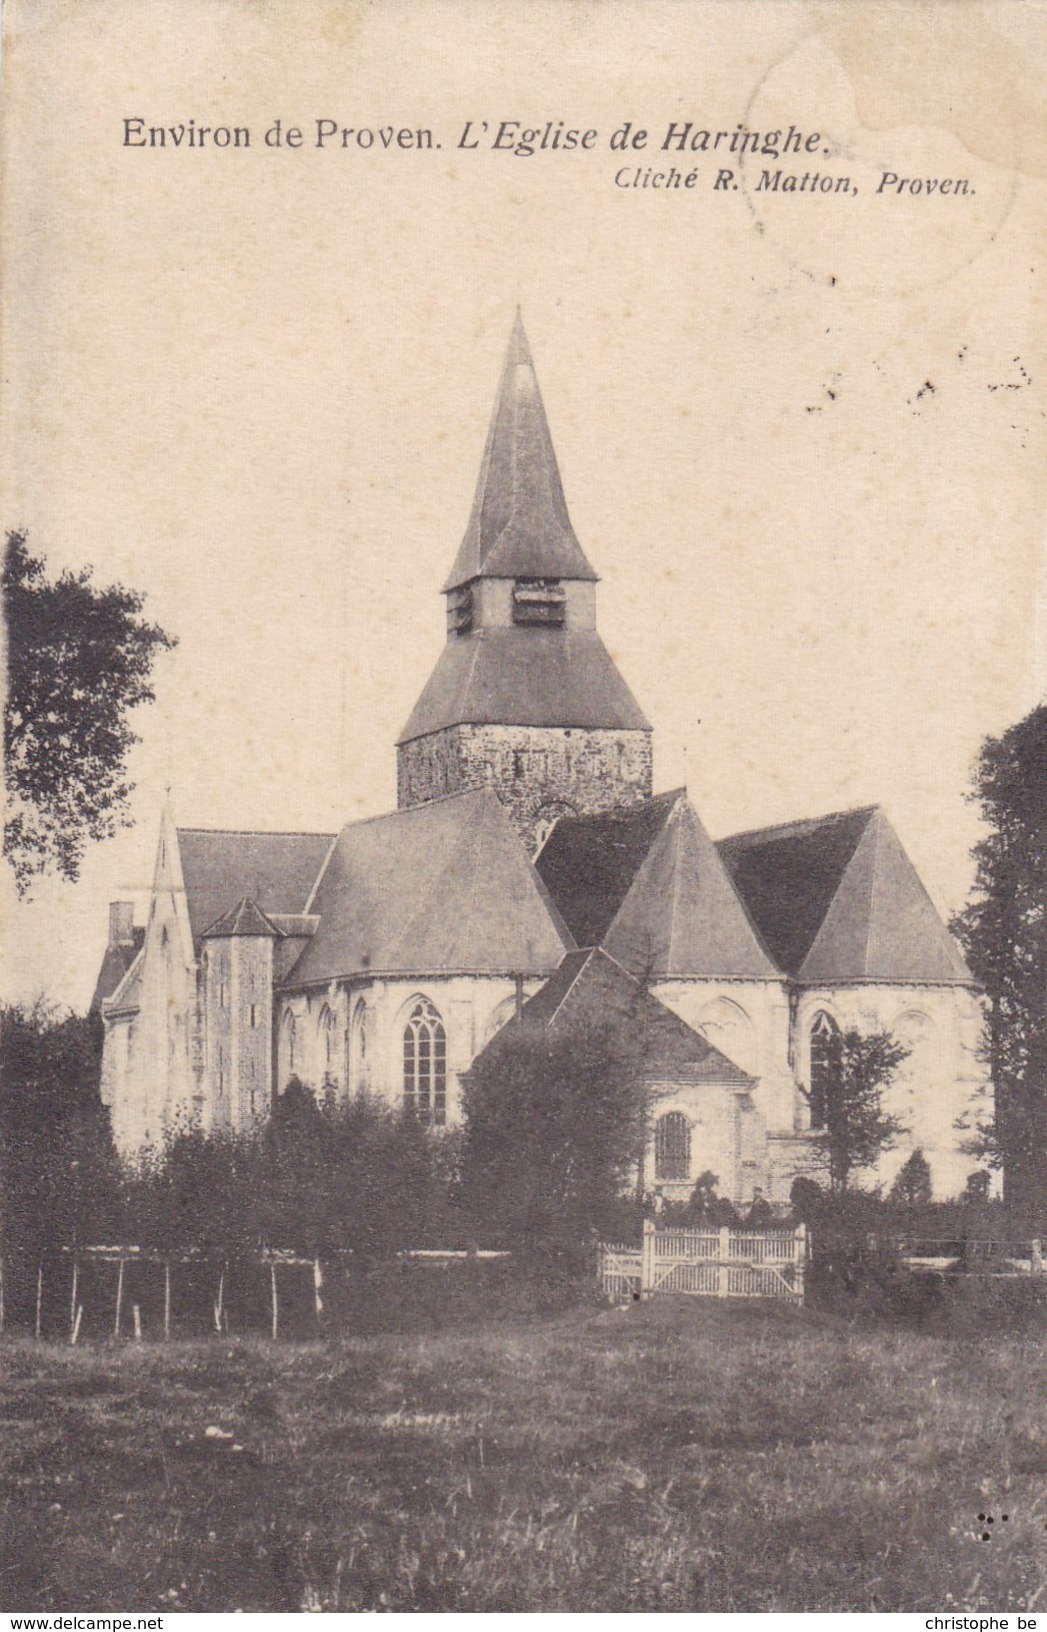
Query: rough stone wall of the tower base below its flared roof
x,y
539,773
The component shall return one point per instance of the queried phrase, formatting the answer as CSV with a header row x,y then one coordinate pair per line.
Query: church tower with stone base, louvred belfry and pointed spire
x,y
526,699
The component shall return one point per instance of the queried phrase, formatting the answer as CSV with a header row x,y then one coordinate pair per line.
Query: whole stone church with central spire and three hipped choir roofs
x,y
531,867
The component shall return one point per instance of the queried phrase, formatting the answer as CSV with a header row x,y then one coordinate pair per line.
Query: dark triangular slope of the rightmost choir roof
x,y
789,877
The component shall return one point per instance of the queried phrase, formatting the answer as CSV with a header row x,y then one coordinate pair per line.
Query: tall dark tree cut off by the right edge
x,y
1004,931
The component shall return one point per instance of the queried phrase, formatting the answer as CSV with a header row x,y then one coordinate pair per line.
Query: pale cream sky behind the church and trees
x,y
802,437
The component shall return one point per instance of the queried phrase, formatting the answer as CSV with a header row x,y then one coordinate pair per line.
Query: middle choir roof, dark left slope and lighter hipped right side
x,y
652,889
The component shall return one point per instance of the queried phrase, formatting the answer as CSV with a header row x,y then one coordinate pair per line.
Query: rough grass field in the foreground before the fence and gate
x,y
673,1457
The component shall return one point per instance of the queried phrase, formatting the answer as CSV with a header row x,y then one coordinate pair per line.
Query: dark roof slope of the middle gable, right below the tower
x,y
590,863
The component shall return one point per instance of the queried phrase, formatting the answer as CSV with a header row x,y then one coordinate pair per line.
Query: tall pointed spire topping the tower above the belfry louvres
x,y
519,526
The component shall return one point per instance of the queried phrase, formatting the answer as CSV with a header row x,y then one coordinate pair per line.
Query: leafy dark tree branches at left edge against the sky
x,y
79,660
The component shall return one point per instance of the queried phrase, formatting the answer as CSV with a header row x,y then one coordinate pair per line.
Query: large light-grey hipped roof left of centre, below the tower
x,y
441,889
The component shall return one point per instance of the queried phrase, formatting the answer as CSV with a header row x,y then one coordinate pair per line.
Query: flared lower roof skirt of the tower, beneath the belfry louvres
x,y
537,676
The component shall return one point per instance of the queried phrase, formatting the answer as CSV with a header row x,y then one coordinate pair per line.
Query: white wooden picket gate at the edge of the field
x,y
709,1264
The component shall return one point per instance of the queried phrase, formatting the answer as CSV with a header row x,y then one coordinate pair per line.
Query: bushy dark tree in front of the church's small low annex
x,y
552,1132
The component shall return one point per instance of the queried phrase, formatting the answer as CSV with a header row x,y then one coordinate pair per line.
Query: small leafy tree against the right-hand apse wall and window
x,y
859,1130
